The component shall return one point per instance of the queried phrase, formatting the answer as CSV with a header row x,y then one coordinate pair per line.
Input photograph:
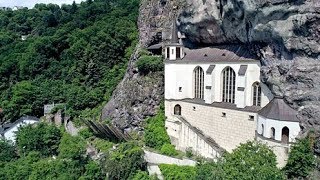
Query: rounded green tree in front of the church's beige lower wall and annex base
x,y
251,160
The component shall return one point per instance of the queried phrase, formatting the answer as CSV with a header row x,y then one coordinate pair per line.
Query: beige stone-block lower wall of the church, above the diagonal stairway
x,y
227,131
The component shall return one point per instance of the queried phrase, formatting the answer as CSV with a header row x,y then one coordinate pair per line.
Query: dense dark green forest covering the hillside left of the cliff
x,y
73,54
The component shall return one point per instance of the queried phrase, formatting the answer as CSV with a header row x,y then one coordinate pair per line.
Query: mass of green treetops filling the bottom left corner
x,y
57,156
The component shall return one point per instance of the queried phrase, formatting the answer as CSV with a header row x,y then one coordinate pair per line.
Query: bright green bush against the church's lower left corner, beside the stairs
x,y
155,132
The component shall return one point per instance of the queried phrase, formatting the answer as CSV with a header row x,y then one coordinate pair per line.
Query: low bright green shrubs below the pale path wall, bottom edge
x,y
175,172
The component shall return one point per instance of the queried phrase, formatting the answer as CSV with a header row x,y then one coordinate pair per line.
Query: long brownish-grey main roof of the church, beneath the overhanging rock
x,y
230,53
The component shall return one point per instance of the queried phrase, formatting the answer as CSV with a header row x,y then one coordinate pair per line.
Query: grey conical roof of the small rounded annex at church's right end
x,y
277,109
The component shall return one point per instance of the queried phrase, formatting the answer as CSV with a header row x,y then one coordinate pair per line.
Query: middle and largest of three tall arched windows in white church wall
x,y
228,85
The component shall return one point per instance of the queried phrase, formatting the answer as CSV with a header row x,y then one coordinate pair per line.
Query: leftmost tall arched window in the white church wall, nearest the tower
x,y
198,82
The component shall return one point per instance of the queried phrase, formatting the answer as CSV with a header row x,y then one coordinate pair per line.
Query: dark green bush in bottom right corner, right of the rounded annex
x,y
301,160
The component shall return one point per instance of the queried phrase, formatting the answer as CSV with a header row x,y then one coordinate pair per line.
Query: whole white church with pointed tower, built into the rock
x,y
214,101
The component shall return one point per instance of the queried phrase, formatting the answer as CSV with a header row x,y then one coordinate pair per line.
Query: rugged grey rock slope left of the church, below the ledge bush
x,y
135,98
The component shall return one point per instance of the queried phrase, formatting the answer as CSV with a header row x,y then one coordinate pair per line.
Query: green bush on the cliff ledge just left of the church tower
x,y
148,64
